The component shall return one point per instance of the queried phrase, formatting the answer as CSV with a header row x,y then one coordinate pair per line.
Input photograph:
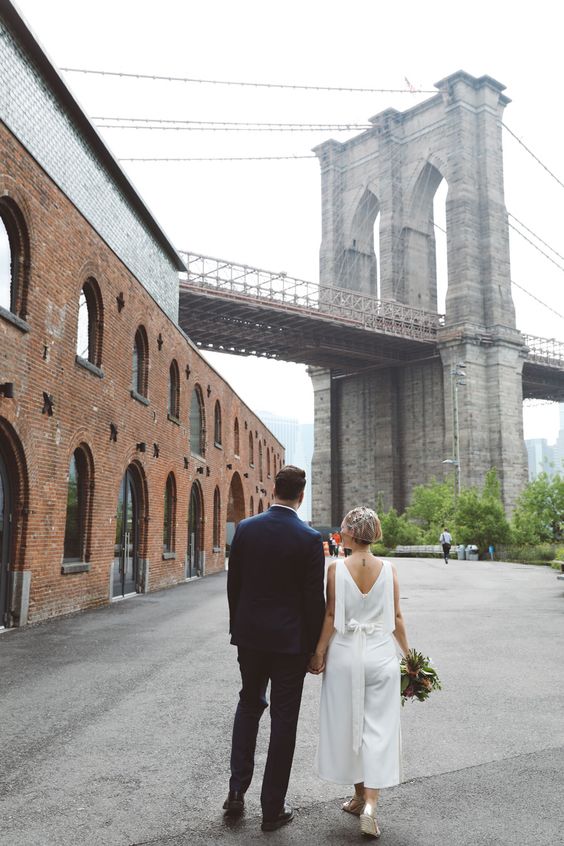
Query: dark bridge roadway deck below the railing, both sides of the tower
x,y
245,325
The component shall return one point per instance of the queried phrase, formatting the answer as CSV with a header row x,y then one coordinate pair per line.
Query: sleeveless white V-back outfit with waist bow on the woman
x,y
359,721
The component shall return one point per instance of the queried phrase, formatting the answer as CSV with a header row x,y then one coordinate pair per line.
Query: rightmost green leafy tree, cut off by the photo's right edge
x,y
539,513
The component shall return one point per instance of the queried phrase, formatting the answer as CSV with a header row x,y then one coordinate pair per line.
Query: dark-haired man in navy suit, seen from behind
x,y
276,610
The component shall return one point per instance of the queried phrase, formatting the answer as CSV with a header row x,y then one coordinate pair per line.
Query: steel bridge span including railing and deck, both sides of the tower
x,y
247,310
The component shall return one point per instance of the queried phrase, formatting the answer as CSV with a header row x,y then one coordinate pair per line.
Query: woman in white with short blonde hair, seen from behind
x,y
359,731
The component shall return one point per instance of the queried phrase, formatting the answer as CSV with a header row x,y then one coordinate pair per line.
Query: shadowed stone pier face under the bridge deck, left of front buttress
x,y
378,433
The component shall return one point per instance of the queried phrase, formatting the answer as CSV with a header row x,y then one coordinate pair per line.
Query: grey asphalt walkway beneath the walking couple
x,y
115,723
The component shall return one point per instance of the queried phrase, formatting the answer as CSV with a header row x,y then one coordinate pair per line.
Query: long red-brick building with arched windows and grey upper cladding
x,y
125,459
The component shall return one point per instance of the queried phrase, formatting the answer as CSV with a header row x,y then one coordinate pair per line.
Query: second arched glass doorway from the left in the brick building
x,y
126,571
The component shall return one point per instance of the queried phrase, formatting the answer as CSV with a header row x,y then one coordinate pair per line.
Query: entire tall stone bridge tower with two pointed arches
x,y
387,429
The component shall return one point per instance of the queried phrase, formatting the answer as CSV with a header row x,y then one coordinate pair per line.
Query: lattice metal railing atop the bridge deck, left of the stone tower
x,y
243,283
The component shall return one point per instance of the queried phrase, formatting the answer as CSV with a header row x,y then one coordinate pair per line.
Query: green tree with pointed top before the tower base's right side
x,y
480,517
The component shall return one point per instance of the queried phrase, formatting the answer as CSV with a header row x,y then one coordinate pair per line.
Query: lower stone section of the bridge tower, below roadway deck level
x,y
381,432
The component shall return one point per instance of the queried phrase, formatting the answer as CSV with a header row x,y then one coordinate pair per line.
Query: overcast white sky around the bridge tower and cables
x,y
268,213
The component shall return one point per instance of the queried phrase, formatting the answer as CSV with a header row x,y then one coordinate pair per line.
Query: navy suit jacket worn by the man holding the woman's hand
x,y
275,583
